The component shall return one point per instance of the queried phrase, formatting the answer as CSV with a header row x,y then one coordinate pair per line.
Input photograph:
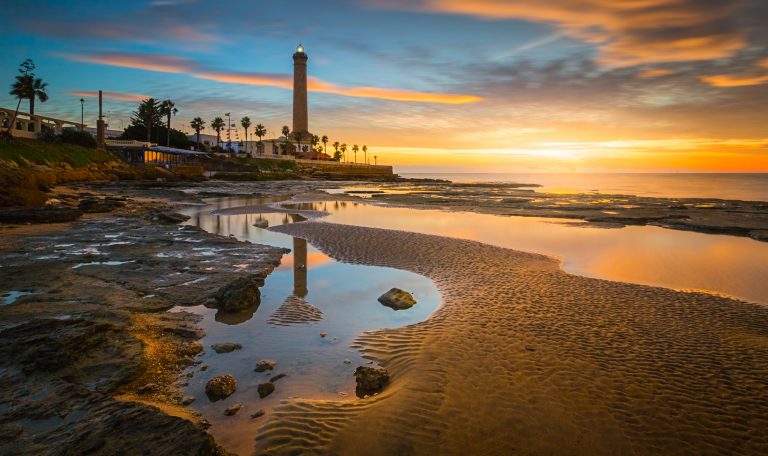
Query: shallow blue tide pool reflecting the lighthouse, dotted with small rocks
x,y
346,294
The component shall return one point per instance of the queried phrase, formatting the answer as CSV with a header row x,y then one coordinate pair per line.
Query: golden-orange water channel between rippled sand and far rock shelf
x,y
650,255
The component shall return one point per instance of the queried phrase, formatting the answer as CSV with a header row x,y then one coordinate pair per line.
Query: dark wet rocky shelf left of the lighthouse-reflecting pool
x,y
89,357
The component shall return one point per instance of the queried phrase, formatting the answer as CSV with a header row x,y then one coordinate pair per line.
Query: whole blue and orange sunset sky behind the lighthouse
x,y
428,85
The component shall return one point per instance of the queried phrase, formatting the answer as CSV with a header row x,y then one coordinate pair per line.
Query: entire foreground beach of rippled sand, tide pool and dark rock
x,y
518,356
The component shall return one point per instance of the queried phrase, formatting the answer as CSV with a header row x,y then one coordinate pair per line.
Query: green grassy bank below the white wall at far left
x,y
40,152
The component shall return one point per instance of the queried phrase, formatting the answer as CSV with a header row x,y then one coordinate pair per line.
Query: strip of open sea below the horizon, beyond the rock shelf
x,y
736,186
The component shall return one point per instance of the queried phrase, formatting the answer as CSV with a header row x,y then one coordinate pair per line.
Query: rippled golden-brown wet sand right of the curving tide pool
x,y
523,358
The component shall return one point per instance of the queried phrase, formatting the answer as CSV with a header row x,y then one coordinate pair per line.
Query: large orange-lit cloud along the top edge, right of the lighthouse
x,y
627,33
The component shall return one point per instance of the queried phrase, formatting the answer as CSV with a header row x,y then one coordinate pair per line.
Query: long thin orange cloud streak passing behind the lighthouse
x,y
172,64
